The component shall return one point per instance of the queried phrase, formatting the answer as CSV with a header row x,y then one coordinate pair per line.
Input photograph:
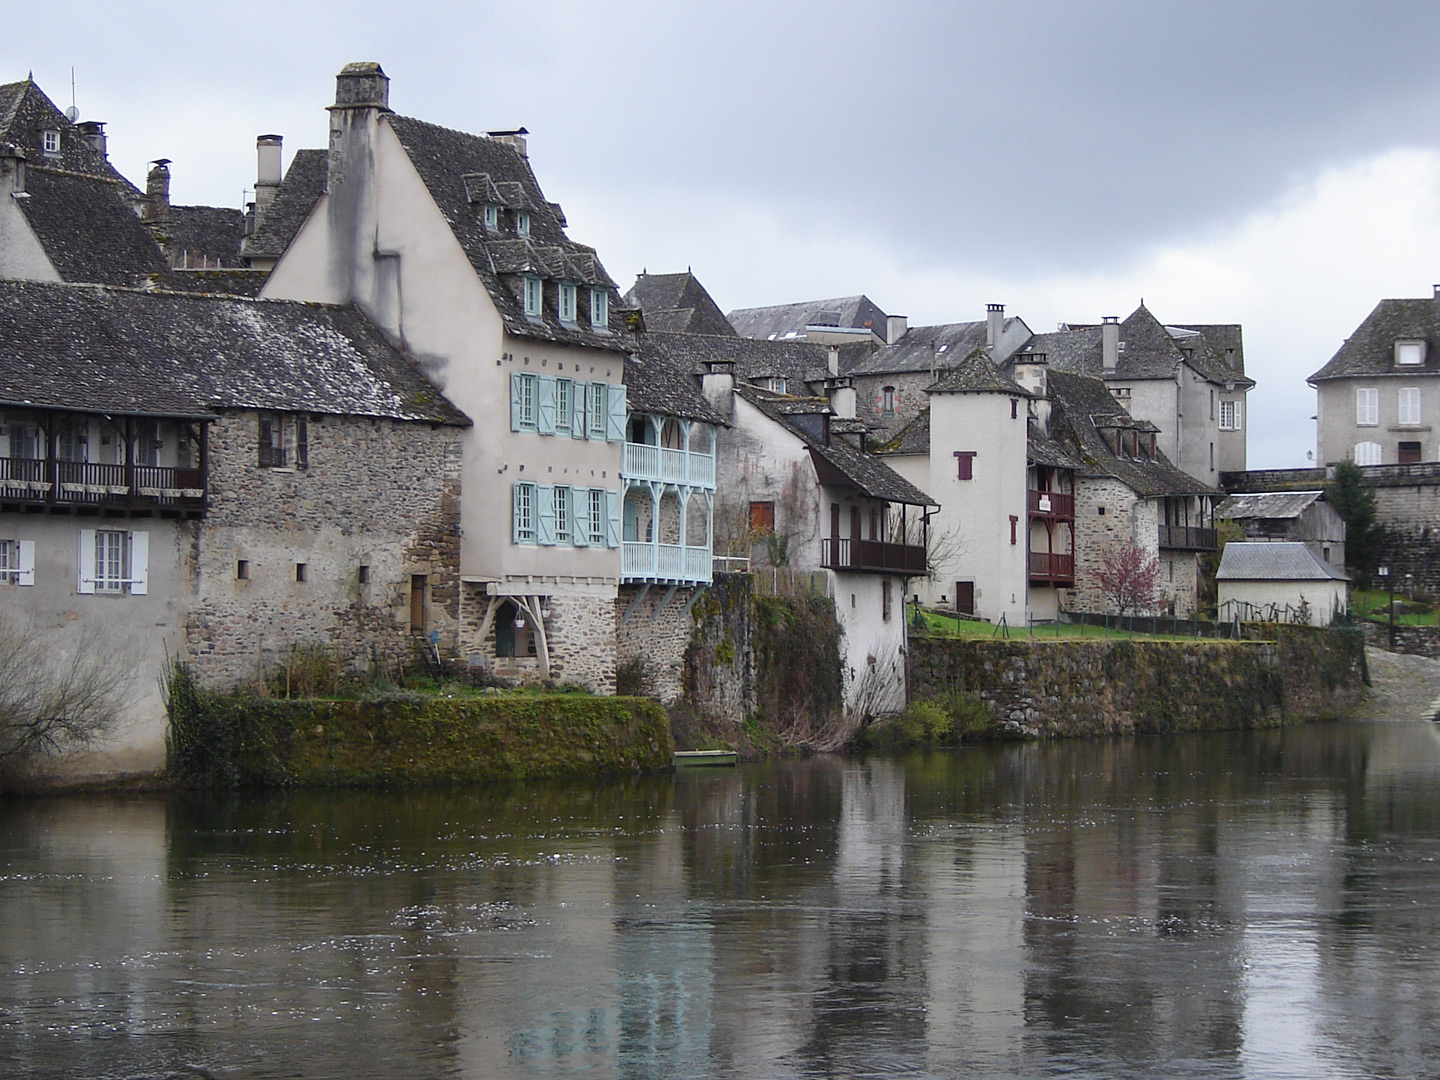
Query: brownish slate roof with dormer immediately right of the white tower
x,y
1082,413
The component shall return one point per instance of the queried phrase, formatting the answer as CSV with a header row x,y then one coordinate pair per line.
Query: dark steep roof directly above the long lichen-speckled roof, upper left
x,y
89,230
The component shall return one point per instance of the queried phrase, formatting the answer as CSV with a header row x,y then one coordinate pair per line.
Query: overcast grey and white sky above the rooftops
x,y
1275,165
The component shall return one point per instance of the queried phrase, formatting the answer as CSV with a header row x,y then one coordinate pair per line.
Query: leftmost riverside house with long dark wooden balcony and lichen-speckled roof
x,y
220,480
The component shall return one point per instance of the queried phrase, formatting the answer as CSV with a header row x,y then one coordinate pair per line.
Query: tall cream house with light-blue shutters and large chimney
x,y
449,244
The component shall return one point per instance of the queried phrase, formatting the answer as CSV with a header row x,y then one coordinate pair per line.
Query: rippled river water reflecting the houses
x,y
1235,905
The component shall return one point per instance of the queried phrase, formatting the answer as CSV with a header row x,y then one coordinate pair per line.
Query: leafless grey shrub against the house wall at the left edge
x,y
61,690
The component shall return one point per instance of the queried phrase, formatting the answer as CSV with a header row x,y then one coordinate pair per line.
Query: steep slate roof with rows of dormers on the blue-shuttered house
x,y
451,163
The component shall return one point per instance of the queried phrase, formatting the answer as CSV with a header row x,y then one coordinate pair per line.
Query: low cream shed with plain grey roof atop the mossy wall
x,y
1279,582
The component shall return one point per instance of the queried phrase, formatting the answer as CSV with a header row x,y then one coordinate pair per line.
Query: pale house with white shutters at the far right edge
x,y
1379,398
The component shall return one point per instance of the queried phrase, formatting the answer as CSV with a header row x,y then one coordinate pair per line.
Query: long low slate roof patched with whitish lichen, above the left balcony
x,y
132,352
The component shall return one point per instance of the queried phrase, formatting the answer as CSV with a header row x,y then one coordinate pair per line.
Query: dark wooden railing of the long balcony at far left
x,y
71,485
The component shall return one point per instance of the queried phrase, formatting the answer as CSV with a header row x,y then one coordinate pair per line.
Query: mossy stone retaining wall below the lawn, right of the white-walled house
x,y
1107,686
